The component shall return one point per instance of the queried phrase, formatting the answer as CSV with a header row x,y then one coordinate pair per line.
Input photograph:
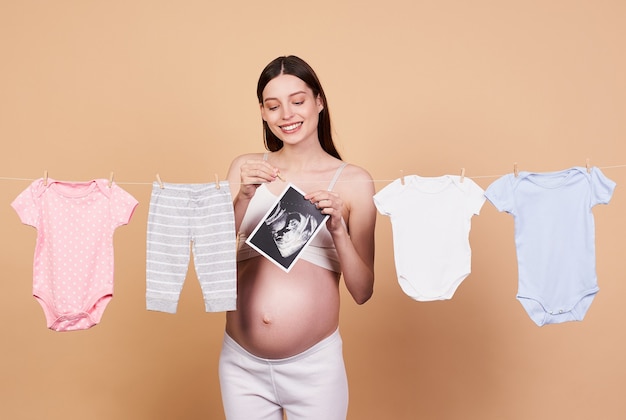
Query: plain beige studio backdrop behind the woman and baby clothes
x,y
425,87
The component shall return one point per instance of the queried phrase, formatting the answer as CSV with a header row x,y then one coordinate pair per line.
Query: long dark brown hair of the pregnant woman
x,y
295,66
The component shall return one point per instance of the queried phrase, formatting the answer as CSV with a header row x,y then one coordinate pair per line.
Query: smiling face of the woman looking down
x,y
290,109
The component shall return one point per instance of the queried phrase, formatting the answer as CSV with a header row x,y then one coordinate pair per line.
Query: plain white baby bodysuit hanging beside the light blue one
x,y
431,220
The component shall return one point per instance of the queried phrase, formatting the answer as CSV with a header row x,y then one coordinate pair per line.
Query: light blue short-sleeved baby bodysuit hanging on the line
x,y
554,238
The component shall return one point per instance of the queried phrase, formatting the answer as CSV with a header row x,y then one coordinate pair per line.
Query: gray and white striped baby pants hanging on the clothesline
x,y
196,218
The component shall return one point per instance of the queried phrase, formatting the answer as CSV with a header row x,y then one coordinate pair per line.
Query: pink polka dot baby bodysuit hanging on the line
x,y
73,261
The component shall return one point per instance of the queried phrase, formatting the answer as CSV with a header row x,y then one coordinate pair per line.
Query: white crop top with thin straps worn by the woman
x,y
321,251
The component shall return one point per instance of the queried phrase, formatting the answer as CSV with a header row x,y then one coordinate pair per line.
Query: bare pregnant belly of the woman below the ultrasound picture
x,y
282,314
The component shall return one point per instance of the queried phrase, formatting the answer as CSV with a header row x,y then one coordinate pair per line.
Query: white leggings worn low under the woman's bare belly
x,y
309,386
